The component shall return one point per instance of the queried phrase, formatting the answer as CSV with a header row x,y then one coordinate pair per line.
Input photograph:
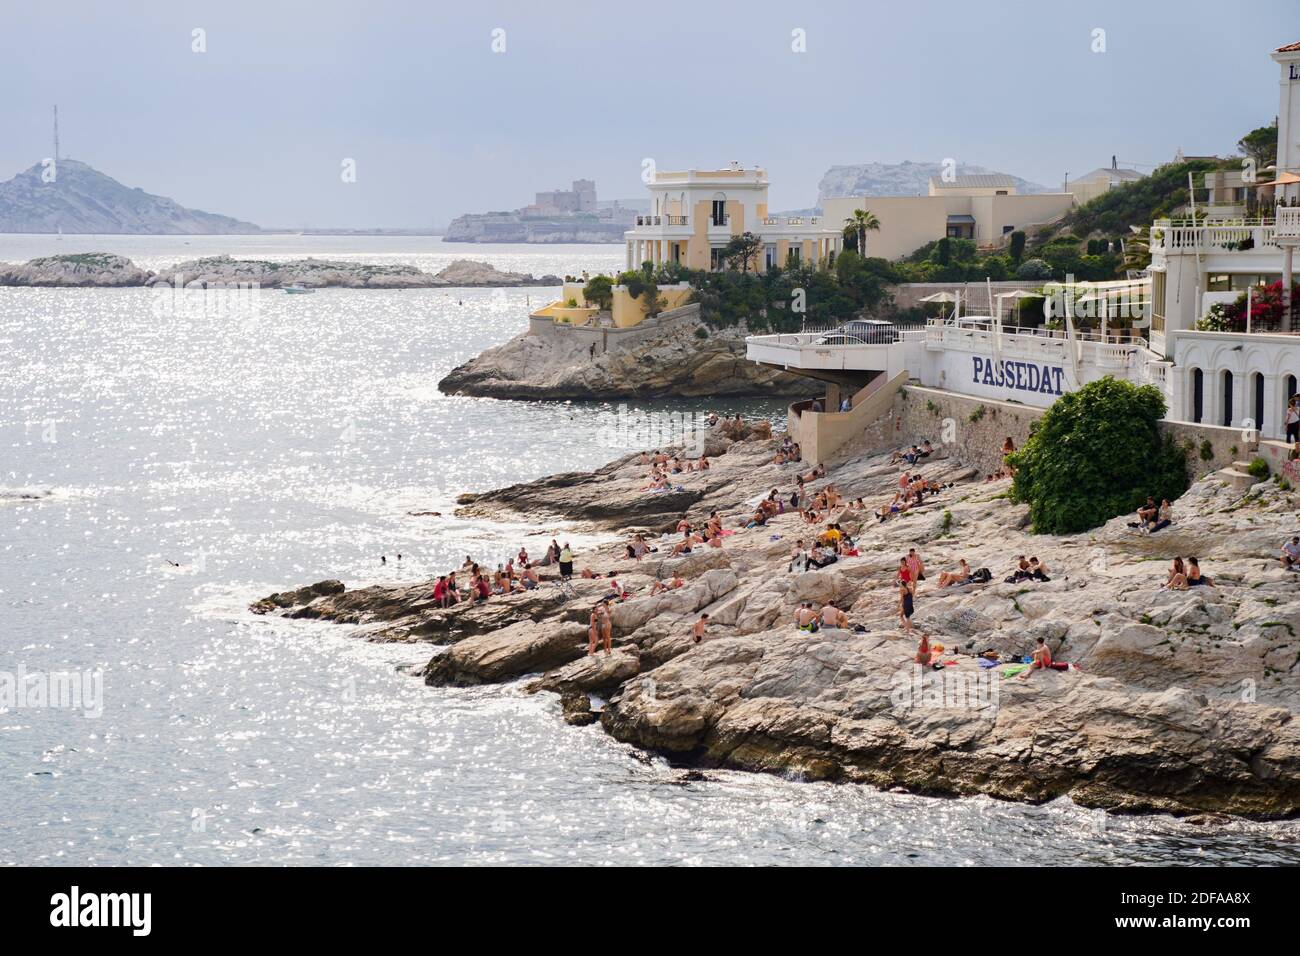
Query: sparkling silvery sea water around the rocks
x,y
259,453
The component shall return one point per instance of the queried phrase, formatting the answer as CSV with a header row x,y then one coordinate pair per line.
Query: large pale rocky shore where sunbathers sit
x,y
1186,702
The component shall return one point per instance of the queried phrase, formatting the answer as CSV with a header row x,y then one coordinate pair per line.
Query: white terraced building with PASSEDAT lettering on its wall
x,y
1234,384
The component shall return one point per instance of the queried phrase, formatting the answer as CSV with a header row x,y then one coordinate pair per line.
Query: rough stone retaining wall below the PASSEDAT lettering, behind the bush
x,y
946,419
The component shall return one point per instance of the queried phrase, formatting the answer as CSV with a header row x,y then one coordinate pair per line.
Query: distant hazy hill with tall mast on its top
x,y
84,200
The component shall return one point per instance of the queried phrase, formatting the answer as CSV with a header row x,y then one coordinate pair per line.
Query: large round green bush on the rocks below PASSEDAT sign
x,y
1095,455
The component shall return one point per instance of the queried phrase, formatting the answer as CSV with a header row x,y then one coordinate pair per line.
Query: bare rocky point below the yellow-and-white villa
x,y
670,361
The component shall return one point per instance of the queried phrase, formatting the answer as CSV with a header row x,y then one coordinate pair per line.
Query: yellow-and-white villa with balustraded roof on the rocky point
x,y
695,214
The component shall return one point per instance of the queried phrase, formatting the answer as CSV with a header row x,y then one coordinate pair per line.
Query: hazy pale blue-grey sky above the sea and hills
x,y
439,124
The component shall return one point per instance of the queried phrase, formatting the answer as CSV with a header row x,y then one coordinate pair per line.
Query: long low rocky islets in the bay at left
x,y
109,271
